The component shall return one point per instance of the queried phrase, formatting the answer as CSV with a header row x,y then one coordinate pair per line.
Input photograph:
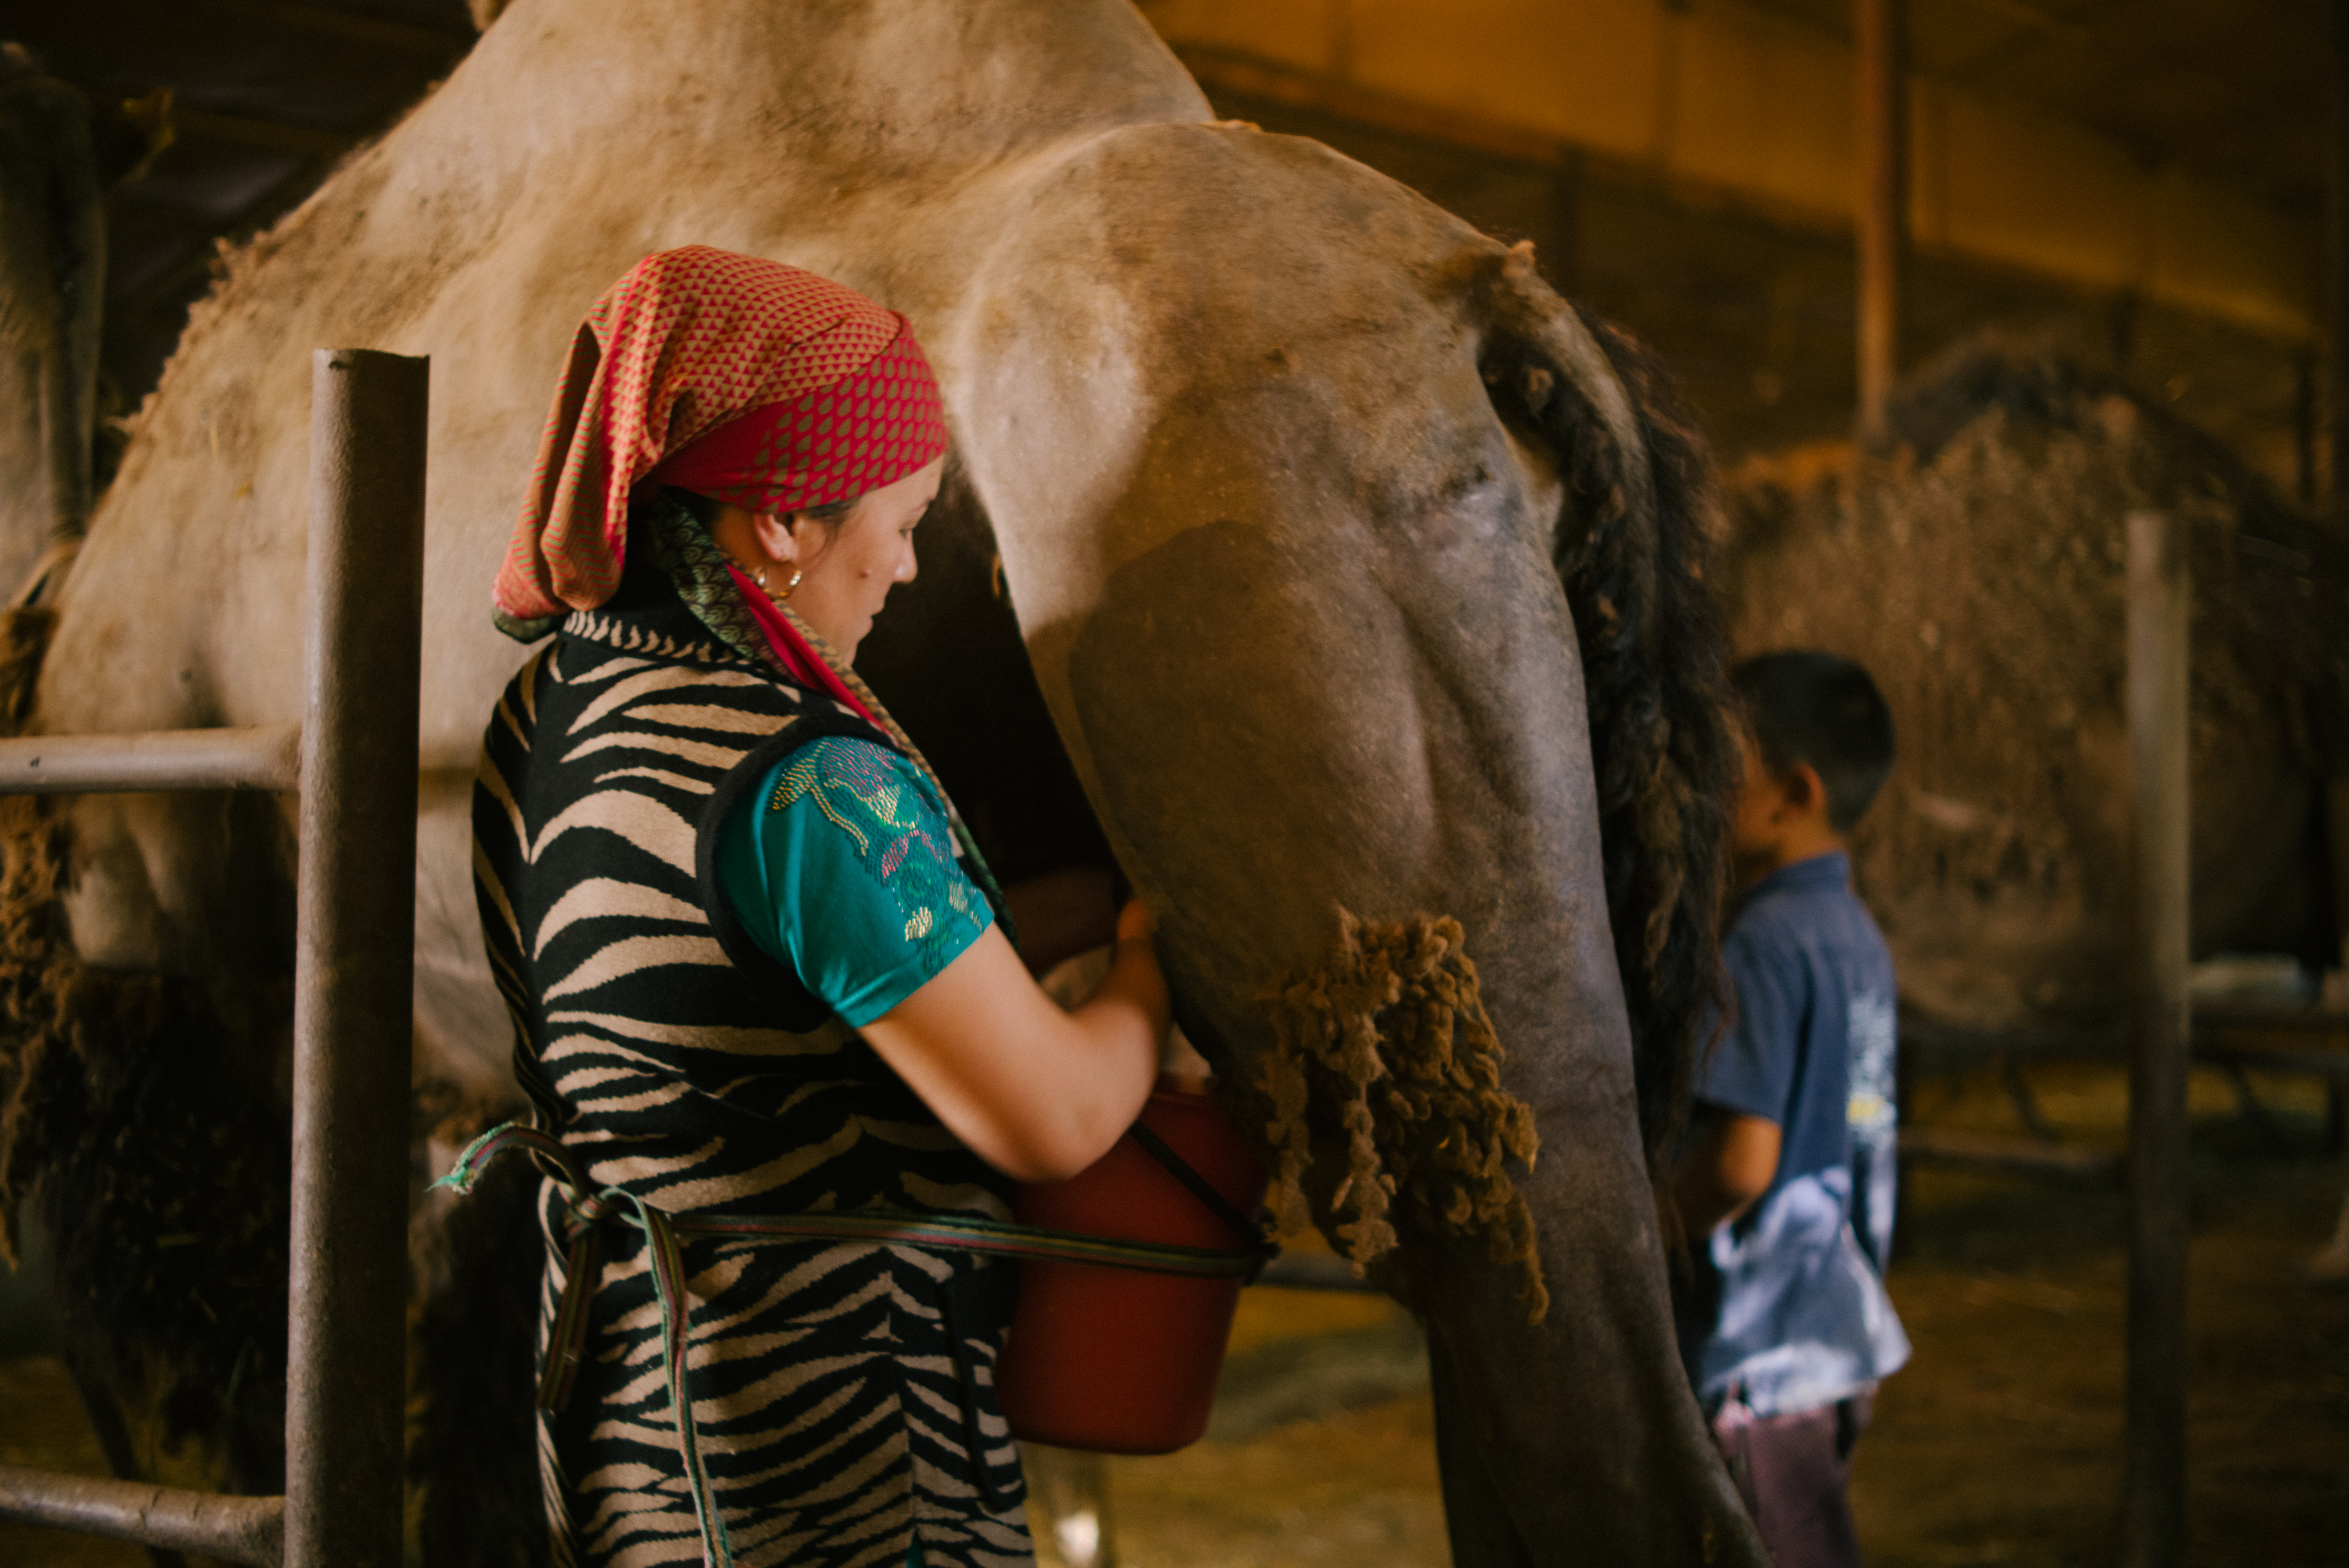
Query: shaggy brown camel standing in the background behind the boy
x,y
1979,572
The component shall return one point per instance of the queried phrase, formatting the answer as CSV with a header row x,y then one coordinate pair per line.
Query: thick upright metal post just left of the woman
x,y
354,968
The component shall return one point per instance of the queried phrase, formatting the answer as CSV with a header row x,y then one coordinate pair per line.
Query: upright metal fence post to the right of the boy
x,y
2155,1473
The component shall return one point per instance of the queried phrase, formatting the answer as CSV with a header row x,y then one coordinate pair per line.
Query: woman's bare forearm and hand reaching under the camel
x,y
1037,1093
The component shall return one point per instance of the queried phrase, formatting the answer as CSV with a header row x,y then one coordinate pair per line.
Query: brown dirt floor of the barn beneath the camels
x,y
2000,1445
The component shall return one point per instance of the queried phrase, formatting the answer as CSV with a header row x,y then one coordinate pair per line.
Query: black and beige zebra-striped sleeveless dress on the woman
x,y
842,1391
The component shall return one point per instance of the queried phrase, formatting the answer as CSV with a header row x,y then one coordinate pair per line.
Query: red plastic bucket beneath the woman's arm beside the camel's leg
x,y
1117,1360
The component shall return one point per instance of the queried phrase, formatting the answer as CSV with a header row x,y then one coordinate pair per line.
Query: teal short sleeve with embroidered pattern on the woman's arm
x,y
842,867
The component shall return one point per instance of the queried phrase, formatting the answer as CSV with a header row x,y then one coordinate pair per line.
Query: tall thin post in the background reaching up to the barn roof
x,y
1883,219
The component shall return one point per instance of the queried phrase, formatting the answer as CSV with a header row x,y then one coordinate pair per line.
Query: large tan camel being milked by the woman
x,y
1305,550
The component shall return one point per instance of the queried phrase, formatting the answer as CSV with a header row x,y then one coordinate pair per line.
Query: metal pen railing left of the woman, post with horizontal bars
x,y
354,762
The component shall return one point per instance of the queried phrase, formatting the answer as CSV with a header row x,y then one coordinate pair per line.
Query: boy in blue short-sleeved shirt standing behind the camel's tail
x,y
1789,1196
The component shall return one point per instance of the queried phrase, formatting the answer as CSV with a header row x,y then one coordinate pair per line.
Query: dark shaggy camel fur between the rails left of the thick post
x,y
161,1172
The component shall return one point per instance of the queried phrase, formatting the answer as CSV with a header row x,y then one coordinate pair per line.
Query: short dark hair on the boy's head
x,y
1822,710
